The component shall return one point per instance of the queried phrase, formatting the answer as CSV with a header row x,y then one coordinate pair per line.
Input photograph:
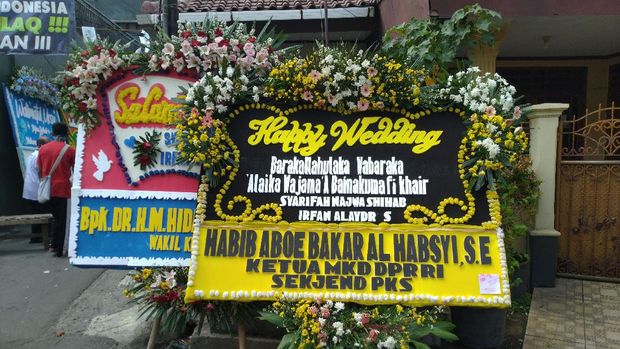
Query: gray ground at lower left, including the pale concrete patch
x,y
47,303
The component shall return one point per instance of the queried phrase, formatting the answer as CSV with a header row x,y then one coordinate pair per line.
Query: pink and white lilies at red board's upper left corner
x,y
85,69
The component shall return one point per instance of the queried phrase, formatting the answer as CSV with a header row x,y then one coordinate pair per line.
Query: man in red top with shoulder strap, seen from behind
x,y
60,182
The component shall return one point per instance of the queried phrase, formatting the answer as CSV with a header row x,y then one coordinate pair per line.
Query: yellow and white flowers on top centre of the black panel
x,y
346,80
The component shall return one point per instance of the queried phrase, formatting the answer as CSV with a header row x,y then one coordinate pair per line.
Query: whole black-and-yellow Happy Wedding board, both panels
x,y
367,207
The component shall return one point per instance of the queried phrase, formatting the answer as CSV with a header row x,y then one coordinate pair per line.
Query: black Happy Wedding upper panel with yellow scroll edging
x,y
323,166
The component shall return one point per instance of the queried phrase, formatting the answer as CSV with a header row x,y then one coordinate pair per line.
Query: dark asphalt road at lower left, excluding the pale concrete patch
x,y
35,289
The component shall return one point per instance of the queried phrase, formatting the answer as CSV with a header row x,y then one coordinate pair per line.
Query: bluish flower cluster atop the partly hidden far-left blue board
x,y
30,82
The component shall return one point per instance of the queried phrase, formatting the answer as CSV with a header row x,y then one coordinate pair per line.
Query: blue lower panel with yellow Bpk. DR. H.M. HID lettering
x,y
132,229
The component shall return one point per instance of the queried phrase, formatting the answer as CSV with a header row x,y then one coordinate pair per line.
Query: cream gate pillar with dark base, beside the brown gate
x,y
544,119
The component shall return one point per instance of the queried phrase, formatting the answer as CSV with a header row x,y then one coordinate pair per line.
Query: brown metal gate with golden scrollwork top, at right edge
x,y
588,194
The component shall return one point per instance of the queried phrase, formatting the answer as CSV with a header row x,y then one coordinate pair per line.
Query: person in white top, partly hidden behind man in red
x,y
31,186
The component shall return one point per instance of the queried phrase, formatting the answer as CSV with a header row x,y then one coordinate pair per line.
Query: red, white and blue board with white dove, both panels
x,y
134,203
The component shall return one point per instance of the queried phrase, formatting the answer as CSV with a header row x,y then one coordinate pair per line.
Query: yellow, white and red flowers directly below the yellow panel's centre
x,y
327,324
